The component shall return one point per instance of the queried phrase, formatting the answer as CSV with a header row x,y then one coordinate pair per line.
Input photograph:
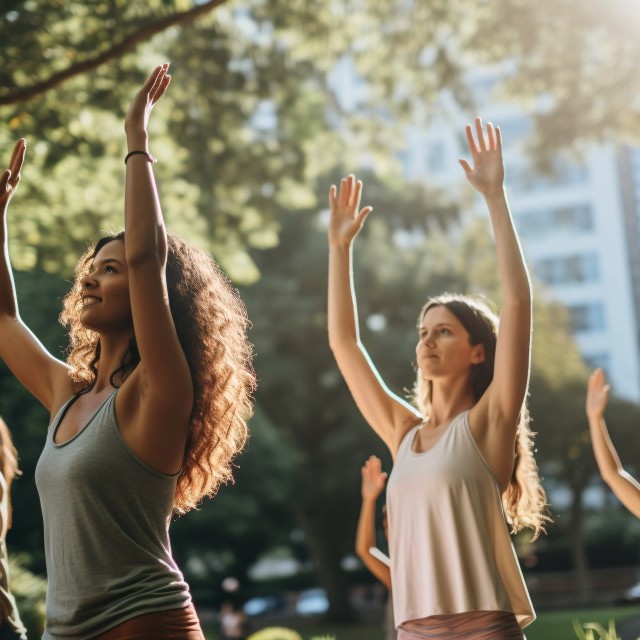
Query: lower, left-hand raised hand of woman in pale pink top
x,y
346,219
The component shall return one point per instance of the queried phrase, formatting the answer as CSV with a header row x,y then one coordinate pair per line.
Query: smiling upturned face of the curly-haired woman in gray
x,y
105,291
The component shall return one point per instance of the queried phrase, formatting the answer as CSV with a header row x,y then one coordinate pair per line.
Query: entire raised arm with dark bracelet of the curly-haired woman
x,y
163,374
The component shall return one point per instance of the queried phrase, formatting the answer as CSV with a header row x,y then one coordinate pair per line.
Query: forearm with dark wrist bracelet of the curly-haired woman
x,y
144,226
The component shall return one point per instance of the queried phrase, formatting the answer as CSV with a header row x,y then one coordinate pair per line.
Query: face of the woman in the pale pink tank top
x,y
444,347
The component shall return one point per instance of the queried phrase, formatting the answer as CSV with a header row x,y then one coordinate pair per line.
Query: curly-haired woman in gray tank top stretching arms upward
x,y
146,414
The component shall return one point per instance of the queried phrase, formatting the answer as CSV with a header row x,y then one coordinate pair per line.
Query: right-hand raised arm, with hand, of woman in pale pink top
x,y
496,415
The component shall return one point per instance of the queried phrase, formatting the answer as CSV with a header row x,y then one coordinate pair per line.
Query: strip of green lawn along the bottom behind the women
x,y
555,625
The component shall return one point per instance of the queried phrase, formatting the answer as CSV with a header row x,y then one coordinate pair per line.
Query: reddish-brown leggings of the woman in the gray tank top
x,y
175,624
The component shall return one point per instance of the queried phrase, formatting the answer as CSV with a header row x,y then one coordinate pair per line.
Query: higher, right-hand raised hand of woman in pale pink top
x,y
487,173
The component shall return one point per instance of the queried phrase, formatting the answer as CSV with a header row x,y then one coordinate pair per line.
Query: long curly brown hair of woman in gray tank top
x,y
211,323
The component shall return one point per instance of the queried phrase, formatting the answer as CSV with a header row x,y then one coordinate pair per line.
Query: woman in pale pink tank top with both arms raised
x,y
463,459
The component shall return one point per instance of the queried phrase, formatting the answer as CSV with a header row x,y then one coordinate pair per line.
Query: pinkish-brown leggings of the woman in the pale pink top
x,y
474,625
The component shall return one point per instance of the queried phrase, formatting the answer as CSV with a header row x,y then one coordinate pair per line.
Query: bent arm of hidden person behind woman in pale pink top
x,y
373,481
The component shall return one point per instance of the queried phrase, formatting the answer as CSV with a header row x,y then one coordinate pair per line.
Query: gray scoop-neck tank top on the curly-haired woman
x,y
106,531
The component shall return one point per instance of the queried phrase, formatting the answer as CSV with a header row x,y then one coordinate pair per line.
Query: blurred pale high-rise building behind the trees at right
x,y
579,225
